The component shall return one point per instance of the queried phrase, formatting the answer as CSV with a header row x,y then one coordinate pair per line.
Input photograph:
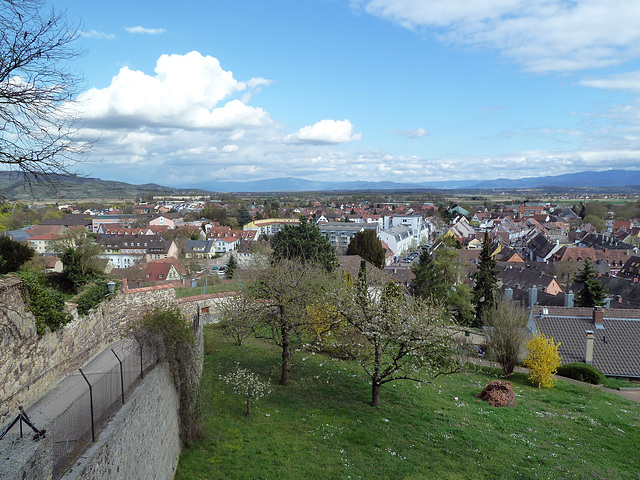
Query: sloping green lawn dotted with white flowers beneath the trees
x,y
322,427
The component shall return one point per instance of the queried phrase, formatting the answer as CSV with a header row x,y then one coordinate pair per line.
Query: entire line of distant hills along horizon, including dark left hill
x,y
81,188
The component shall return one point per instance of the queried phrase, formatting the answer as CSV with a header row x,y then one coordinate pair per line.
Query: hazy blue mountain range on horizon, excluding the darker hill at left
x,y
610,178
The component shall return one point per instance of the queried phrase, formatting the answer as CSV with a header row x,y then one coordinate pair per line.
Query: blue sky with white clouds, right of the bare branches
x,y
183,93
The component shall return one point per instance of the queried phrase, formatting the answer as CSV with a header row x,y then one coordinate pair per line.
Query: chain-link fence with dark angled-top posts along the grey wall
x,y
75,411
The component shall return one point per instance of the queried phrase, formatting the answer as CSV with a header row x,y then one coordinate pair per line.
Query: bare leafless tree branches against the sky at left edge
x,y
37,88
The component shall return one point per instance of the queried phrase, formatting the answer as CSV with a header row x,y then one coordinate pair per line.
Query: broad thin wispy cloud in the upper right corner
x,y
541,35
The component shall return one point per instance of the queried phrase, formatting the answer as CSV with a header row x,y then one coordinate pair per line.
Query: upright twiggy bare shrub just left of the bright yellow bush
x,y
506,334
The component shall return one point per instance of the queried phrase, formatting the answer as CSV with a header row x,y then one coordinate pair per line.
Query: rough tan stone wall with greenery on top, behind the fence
x,y
31,364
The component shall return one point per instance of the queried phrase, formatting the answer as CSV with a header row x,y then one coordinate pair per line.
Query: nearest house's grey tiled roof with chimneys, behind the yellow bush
x,y
607,339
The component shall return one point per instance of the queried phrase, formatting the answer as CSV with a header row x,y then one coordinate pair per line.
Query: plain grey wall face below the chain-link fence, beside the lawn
x,y
141,441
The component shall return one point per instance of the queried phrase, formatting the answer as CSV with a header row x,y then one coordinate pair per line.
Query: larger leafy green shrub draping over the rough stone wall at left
x,y
46,304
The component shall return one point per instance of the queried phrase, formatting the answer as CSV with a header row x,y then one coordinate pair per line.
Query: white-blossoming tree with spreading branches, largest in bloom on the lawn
x,y
396,337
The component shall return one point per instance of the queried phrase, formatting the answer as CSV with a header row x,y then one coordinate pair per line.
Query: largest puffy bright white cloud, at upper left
x,y
187,91
